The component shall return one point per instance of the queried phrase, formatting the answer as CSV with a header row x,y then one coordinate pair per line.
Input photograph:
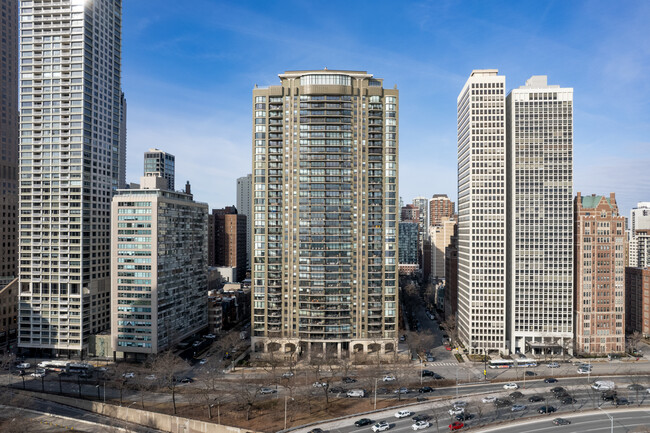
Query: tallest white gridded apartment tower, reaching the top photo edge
x,y
70,147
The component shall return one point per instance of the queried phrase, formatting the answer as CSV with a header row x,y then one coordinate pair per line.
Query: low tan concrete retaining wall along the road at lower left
x,y
167,423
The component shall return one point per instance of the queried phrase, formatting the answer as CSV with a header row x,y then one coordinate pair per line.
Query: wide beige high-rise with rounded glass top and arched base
x,y
324,235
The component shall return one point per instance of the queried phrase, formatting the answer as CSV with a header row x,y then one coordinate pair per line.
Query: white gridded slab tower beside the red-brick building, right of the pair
x,y
540,217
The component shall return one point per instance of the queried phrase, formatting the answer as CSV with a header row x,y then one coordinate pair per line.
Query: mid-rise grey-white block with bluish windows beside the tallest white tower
x,y
159,268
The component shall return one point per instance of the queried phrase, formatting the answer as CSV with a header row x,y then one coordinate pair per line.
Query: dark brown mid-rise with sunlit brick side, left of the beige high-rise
x,y
230,240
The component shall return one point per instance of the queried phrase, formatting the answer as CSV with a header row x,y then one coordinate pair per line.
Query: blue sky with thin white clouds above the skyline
x,y
188,69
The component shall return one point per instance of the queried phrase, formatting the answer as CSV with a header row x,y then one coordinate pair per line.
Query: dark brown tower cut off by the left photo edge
x,y
9,142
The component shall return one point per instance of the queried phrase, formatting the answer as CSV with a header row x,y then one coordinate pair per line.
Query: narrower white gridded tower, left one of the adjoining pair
x,y
482,302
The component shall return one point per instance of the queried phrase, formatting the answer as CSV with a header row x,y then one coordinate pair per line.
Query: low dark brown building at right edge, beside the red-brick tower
x,y
637,301
